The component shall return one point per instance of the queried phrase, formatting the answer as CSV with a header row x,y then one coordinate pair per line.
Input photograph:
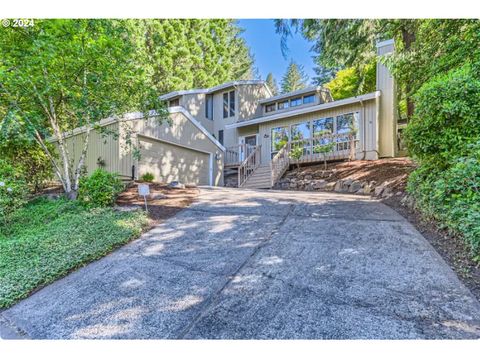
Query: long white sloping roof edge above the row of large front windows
x,y
306,110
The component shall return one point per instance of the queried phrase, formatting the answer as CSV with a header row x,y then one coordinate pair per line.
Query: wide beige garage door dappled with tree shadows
x,y
168,162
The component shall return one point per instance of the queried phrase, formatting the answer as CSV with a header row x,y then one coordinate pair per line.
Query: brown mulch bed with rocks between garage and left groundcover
x,y
164,202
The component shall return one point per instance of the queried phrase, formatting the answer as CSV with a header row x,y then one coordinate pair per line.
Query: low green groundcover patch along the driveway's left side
x,y
48,238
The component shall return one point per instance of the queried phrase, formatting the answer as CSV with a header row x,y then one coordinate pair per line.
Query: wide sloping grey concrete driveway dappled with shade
x,y
265,265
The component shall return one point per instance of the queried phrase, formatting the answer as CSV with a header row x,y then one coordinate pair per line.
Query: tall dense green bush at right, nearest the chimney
x,y
447,114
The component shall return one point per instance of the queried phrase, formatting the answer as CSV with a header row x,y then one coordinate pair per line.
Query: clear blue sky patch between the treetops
x,y
265,45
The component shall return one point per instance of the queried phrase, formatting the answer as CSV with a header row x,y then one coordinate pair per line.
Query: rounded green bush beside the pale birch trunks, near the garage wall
x,y
99,189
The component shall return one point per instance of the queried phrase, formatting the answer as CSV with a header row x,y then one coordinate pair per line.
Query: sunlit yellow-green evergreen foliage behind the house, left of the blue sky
x,y
193,53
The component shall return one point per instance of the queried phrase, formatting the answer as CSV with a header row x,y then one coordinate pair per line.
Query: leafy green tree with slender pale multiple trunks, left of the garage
x,y
62,74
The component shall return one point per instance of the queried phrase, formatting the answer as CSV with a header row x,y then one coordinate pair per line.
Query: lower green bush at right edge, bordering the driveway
x,y
452,197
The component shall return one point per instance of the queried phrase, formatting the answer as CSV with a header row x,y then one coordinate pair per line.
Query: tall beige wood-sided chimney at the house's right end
x,y
387,107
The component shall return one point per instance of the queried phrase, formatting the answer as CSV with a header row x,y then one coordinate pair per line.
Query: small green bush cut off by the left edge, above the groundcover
x,y
13,190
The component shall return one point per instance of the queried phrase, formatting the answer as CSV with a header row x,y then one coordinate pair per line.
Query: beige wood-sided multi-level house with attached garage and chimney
x,y
240,128
